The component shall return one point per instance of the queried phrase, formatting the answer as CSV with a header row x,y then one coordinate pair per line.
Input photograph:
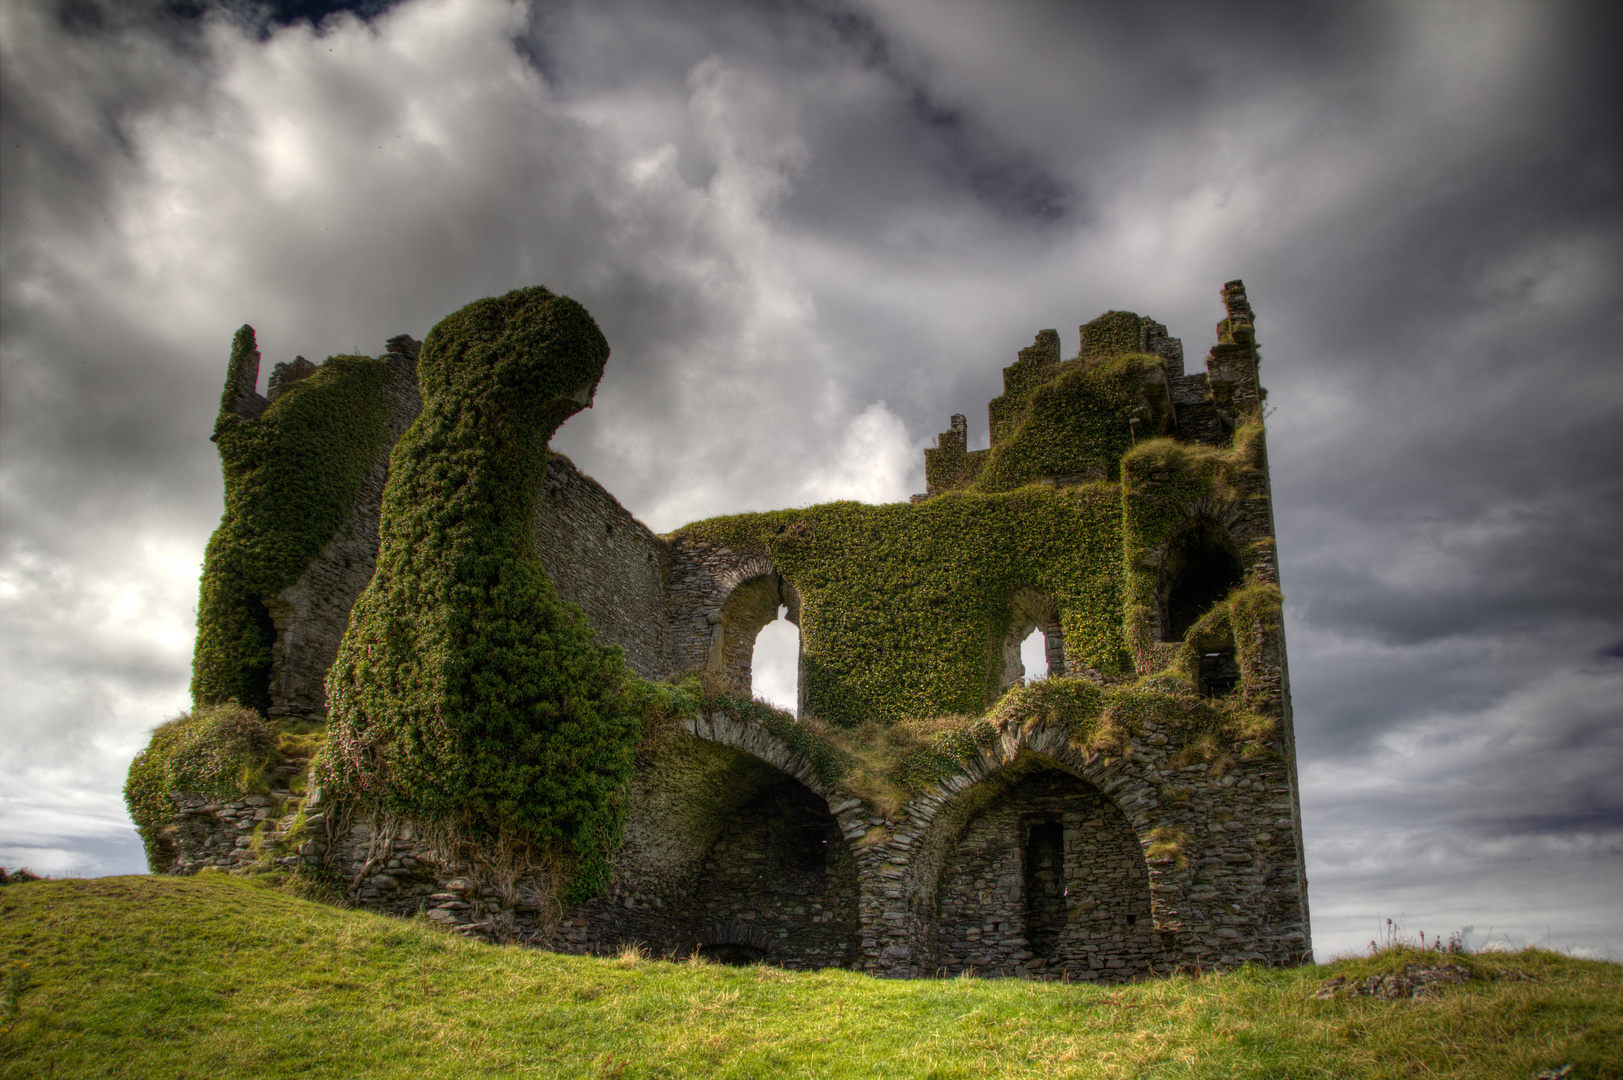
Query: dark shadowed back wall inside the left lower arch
x,y
780,884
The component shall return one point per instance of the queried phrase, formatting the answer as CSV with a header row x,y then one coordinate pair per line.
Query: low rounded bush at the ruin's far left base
x,y
215,751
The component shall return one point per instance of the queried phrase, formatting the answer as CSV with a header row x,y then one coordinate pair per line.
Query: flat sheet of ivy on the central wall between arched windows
x,y
905,607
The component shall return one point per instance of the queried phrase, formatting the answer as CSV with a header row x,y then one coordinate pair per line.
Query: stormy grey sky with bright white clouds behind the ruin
x,y
812,230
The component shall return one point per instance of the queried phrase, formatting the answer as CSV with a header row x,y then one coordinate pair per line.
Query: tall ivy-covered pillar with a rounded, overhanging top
x,y
467,693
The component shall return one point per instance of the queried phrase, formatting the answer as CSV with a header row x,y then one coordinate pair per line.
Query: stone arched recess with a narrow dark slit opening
x,y
1048,881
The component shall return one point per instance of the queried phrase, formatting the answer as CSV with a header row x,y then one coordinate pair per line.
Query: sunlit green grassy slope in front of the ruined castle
x,y
217,977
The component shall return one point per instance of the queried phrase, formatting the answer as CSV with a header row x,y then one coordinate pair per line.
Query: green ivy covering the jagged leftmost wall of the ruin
x,y
291,478
